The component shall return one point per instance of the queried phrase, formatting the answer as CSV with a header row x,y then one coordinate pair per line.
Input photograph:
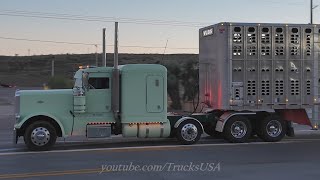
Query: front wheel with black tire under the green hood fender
x,y
42,128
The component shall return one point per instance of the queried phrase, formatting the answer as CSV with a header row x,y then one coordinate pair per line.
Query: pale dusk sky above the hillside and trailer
x,y
143,26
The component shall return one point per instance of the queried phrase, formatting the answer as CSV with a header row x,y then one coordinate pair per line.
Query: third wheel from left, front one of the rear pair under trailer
x,y
233,124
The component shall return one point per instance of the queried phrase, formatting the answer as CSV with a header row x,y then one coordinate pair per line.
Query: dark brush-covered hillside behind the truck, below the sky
x,y
36,70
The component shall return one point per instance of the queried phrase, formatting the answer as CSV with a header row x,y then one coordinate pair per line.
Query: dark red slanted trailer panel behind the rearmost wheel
x,y
298,116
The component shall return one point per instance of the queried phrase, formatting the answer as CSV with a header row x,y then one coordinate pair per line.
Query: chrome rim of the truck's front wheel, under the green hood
x,y
40,136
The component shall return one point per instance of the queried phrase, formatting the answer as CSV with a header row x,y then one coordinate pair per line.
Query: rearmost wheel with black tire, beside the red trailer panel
x,y
279,131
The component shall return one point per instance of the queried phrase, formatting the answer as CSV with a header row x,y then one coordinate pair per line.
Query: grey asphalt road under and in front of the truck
x,y
292,158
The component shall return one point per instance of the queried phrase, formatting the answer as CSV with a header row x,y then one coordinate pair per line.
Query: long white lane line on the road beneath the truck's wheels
x,y
143,147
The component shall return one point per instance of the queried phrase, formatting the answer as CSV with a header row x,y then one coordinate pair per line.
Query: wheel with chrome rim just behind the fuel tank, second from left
x,y
185,130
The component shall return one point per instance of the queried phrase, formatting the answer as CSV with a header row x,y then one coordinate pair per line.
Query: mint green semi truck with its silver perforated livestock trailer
x,y
253,80
